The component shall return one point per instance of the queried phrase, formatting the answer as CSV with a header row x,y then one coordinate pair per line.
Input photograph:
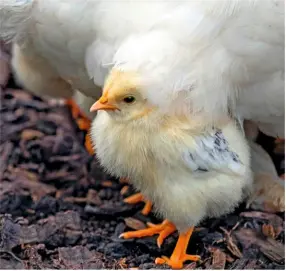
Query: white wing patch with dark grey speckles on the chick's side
x,y
212,153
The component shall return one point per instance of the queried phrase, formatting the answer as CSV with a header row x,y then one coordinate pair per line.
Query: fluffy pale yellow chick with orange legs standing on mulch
x,y
188,169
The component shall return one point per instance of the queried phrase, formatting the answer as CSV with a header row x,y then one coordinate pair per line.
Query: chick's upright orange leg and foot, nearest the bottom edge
x,y
179,255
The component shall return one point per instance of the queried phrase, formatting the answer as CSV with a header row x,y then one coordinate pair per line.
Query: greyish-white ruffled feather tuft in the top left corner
x,y
15,16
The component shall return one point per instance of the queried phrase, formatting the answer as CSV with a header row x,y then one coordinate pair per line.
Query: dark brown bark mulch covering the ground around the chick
x,y
59,210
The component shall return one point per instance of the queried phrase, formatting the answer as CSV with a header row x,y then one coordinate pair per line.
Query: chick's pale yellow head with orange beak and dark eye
x,y
122,97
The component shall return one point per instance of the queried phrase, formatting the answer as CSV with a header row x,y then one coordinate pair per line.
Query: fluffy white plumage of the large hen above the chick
x,y
210,56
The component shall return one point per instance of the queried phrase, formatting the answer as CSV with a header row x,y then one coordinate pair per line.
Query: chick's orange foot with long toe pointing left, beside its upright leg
x,y
164,230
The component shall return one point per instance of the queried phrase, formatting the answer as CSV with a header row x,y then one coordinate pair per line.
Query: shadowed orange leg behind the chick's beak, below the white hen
x,y
83,123
